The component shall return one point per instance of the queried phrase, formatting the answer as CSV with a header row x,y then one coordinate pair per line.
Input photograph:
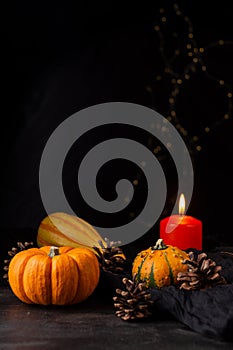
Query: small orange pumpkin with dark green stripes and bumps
x,y
158,266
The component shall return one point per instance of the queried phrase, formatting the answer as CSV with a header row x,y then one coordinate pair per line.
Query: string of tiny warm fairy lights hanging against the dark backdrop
x,y
183,61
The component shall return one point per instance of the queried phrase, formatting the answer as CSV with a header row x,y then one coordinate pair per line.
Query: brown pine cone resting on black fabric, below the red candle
x,y
203,273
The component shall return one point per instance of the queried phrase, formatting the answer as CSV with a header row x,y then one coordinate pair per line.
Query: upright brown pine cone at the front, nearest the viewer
x,y
134,302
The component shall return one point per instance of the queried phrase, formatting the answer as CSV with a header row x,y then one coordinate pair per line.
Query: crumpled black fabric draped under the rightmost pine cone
x,y
209,312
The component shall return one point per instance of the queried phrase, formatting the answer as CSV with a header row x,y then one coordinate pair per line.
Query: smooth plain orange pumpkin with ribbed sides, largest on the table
x,y
52,275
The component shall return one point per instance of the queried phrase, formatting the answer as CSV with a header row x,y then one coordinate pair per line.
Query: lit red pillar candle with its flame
x,y
181,230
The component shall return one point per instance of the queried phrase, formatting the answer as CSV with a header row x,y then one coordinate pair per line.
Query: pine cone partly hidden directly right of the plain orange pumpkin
x,y
111,257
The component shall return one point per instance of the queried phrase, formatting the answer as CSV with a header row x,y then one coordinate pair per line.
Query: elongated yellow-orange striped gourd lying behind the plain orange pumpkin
x,y
61,229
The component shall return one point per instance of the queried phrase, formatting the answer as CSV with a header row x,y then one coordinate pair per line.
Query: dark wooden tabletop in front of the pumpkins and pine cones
x,y
91,325
